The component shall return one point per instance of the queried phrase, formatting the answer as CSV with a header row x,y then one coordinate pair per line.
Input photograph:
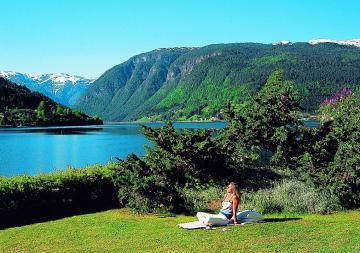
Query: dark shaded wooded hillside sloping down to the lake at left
x,y
21,107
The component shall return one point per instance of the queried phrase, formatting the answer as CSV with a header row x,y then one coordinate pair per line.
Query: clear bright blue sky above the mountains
x,y
87,37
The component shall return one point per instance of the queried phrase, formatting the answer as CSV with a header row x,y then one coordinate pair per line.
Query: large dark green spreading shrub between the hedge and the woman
x,y
179,160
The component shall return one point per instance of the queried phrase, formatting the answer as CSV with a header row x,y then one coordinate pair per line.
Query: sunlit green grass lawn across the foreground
x,y
119,230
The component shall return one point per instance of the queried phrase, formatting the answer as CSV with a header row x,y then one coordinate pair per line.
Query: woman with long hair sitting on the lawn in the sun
x,y
227,212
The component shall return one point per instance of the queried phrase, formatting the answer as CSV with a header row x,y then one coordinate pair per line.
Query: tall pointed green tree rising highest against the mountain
x,y
268,125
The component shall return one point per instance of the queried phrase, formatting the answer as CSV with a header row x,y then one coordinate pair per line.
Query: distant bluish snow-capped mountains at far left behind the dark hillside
x,y
62,88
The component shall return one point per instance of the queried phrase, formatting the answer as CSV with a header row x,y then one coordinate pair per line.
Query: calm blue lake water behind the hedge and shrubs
x,y
35,150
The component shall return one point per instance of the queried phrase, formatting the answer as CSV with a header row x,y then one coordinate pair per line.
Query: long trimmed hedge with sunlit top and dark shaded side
x,y
24,198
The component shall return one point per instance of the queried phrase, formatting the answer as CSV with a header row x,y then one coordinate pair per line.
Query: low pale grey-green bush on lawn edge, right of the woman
x,y
290,196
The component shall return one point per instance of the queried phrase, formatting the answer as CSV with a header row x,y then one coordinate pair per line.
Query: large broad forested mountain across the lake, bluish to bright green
x,y
196,83
